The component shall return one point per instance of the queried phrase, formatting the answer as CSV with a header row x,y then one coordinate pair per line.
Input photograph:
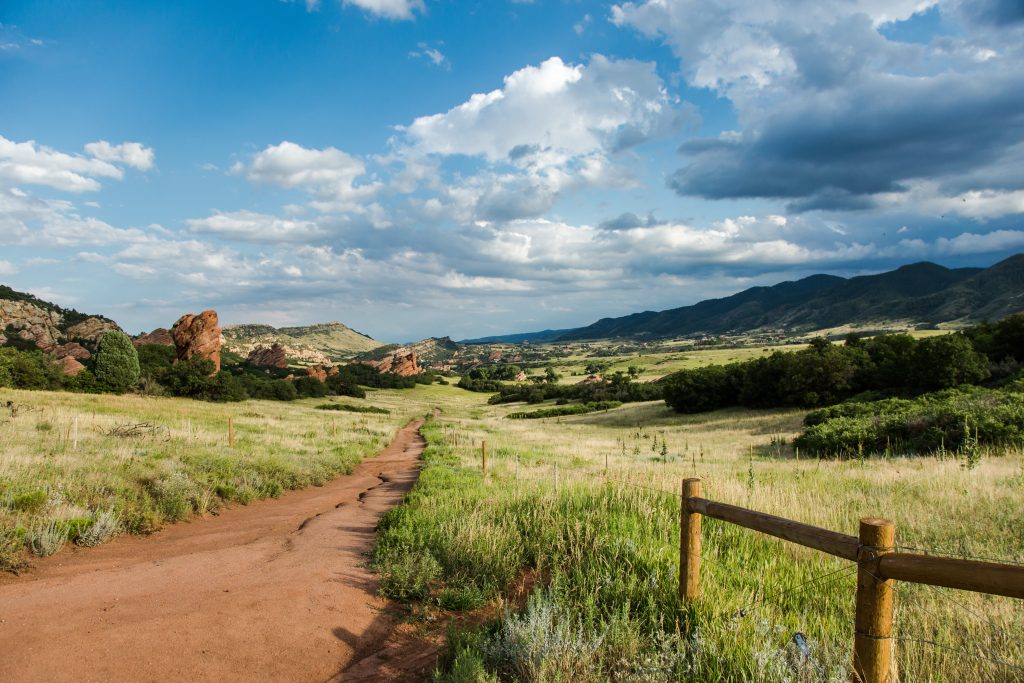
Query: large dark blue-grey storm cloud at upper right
x,y
834,152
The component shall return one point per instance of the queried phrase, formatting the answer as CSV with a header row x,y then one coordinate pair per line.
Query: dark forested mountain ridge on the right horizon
x,y
919,294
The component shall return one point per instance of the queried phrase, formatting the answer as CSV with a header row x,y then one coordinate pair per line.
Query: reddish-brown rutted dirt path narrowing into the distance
x,y
276,591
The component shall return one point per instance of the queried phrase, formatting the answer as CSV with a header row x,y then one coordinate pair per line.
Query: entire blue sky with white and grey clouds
x,y
437,167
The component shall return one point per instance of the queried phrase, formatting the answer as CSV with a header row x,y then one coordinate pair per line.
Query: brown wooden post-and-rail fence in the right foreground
x,y
879,565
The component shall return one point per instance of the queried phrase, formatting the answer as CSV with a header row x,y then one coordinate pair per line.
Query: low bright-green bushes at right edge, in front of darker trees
x,y
954,421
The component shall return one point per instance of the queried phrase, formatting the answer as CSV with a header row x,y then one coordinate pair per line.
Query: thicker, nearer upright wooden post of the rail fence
x,y
874,623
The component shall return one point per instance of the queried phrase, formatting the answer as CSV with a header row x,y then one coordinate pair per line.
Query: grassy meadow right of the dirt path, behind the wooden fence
x,y
602,551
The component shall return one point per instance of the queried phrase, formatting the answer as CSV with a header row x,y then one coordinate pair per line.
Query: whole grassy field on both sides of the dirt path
x,y
602,553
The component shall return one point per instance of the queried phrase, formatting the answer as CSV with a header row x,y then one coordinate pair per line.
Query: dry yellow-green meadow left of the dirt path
x,y
81,468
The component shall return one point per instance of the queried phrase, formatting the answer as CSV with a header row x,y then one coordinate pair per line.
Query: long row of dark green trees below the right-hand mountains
x,y
827,373
